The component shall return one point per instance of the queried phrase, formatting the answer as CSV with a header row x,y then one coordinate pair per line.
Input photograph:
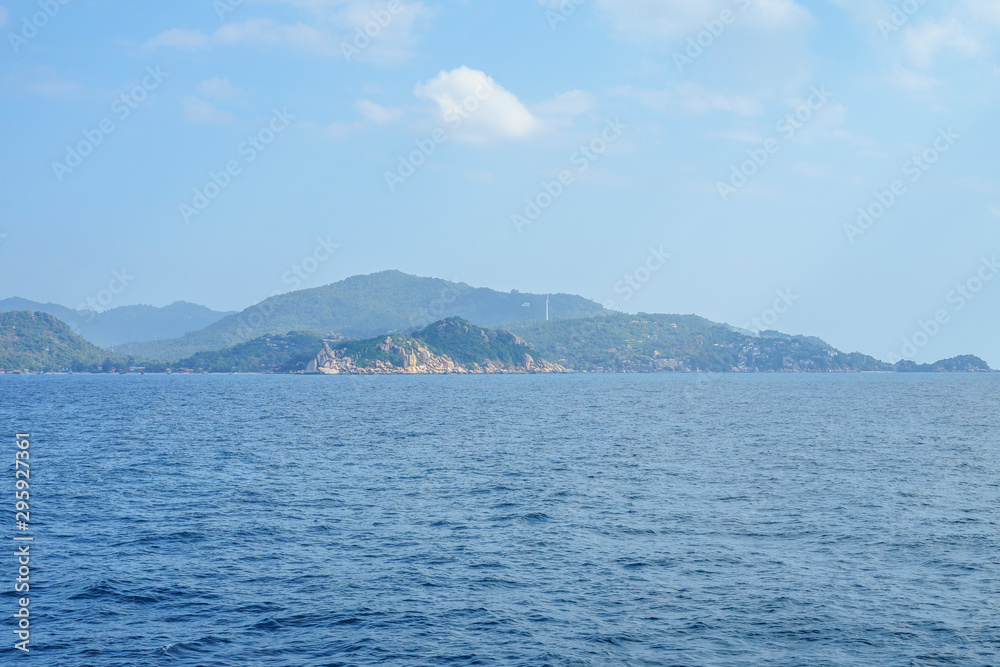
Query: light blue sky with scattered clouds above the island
x,y
826,168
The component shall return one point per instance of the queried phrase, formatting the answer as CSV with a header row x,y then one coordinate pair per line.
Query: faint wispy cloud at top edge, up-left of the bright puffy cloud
x,y
325,29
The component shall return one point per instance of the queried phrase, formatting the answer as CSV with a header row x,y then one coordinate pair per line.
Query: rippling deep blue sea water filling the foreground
x,y
522,520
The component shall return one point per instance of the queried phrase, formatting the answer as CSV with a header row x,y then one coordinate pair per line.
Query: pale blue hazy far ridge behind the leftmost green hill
x,y
126,323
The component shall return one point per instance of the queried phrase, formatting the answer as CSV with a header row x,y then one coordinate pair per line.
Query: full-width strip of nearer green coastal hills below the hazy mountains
x,y
38,342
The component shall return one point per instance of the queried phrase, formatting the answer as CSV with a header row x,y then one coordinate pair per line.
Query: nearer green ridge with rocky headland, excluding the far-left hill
x,y
618,343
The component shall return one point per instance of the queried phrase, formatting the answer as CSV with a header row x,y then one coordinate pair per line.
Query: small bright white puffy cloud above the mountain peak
x,y
476,107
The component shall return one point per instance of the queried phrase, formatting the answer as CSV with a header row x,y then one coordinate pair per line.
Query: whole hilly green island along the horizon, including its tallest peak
x,y
392,323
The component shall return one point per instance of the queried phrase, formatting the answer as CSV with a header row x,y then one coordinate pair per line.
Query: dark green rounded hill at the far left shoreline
x,y
39,342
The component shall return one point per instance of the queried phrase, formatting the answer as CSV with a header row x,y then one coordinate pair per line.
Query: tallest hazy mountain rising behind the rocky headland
x,y
367,306
